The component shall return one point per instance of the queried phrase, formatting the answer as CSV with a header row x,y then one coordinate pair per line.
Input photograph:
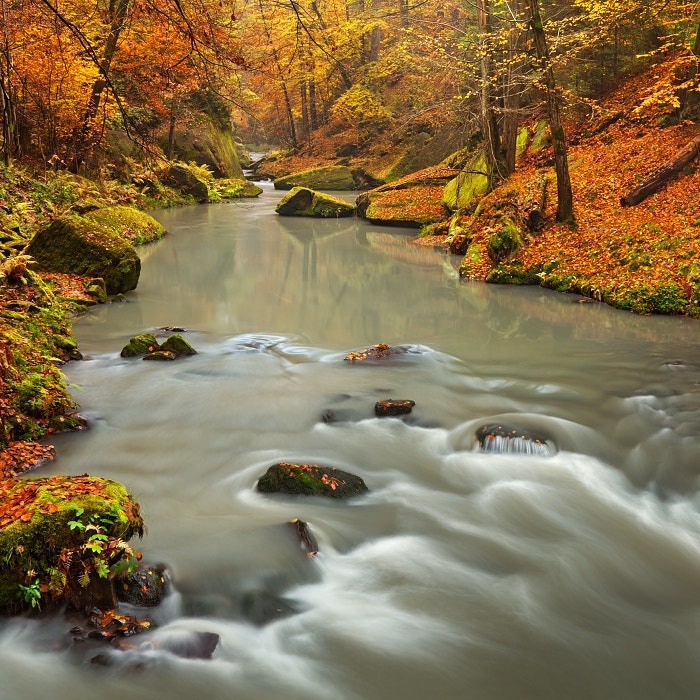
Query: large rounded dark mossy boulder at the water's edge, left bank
x,y
77,245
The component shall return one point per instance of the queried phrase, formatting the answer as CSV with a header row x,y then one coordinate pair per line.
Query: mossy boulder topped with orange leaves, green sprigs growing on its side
x,y
61,537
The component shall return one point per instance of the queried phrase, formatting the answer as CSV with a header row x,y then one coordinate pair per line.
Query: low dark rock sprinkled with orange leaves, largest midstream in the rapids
x,y
310,480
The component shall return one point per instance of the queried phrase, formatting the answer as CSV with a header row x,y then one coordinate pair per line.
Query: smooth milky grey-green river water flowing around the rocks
x,y
462,574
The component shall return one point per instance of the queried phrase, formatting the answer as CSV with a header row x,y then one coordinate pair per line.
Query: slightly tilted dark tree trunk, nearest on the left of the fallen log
x,y
565,204
